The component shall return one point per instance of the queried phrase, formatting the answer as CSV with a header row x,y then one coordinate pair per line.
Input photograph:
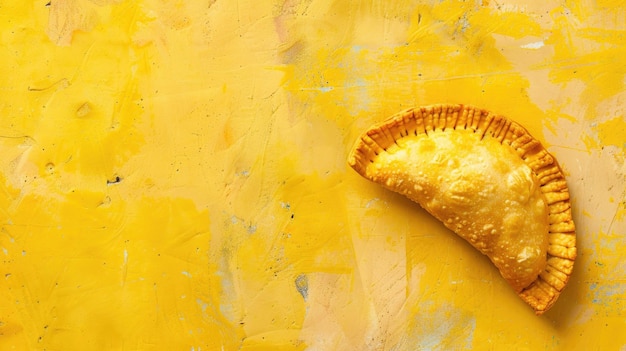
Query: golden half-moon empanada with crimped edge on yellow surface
x,y
488,180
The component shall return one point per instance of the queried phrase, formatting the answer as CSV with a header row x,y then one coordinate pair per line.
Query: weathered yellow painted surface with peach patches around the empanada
x,y
173,173
